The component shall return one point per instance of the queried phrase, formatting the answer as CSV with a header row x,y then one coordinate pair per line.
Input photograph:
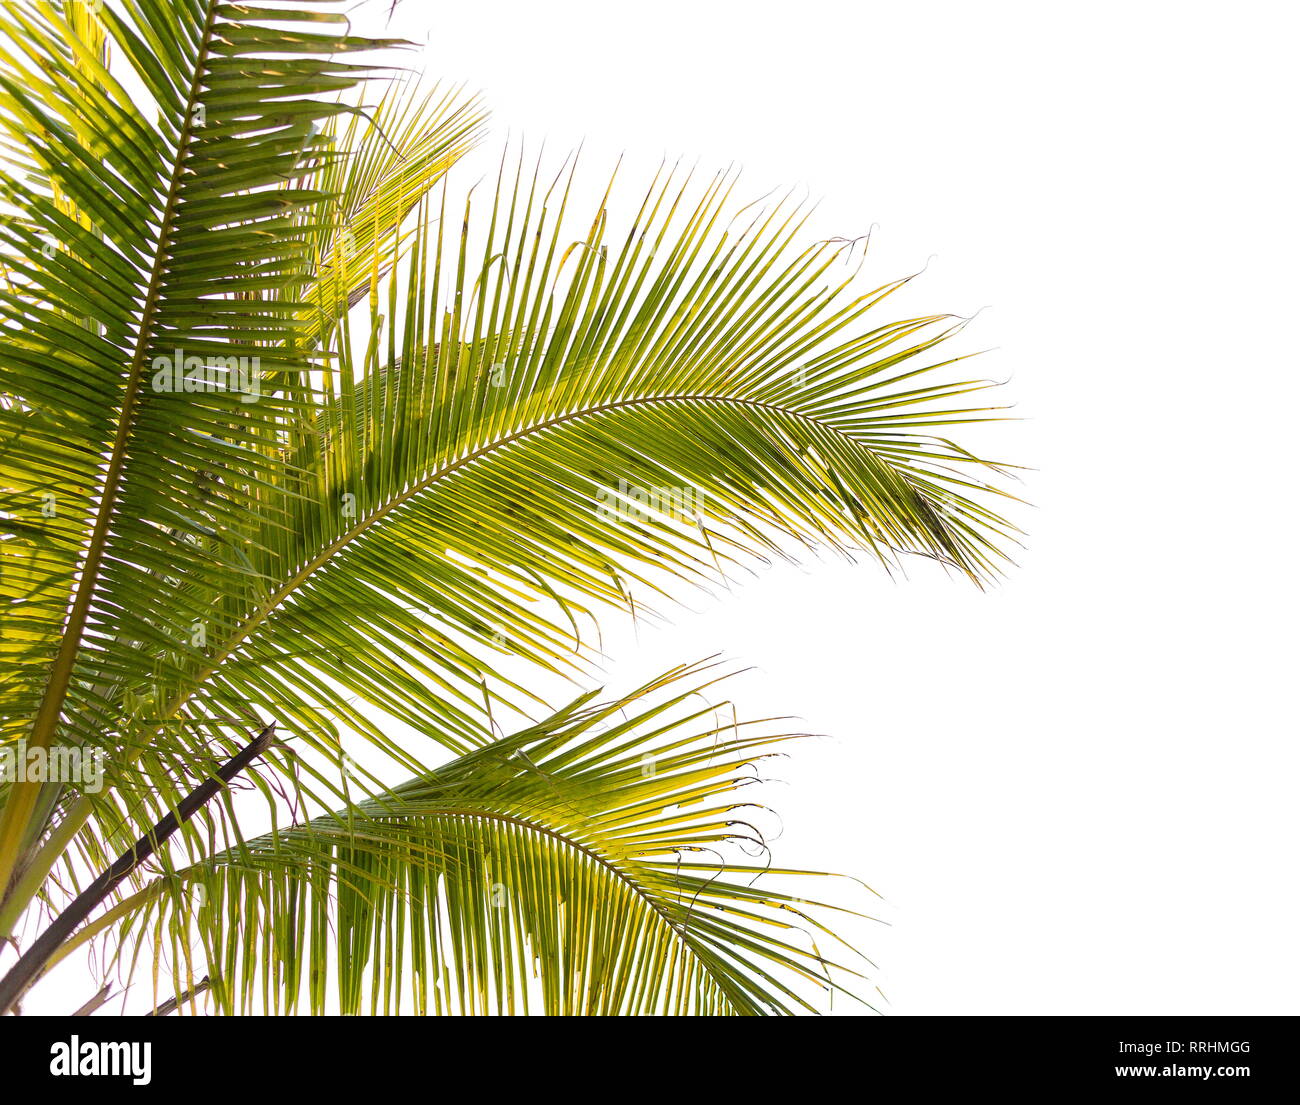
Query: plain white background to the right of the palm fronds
x,y
1076,792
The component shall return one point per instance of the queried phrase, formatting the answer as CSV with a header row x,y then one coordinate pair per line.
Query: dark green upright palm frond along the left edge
x,y
146,252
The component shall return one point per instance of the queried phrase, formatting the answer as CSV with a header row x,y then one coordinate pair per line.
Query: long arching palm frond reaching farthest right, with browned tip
x,y
486,489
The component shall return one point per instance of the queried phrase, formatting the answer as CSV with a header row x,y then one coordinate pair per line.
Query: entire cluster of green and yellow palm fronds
x,y
287,435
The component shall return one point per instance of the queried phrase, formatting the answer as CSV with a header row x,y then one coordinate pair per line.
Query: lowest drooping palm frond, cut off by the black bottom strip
x,y
574,869
